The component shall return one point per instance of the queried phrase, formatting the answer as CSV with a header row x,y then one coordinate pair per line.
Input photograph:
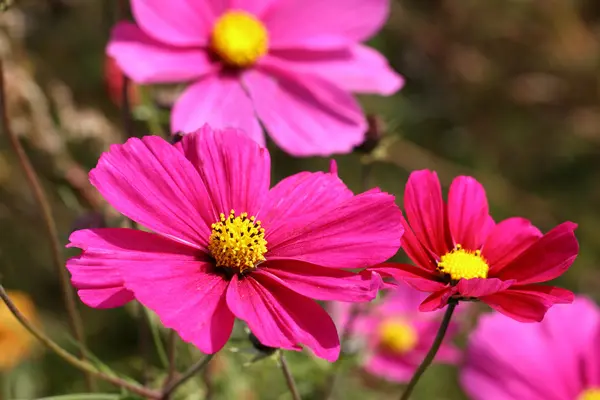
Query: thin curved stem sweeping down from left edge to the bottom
x,y
71,359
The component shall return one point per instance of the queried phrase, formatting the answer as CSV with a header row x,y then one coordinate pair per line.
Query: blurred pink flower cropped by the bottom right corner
x,y
557,359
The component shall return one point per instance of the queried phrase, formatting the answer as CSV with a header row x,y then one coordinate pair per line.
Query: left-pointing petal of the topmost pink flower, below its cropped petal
x,y
145,60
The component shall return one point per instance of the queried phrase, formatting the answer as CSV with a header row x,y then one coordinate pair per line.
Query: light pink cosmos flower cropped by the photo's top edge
x,y
289,63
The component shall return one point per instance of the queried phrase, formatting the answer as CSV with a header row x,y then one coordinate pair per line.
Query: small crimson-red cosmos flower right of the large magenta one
x,y
461,253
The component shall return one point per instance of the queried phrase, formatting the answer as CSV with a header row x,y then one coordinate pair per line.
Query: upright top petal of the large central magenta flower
x,y
235,169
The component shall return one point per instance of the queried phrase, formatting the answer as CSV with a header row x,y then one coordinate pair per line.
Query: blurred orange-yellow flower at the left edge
x,y
16,344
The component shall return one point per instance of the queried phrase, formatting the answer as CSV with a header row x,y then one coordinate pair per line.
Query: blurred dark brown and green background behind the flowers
x,y
507,91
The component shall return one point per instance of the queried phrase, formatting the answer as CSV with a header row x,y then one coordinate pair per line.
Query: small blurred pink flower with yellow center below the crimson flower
x,y
393,336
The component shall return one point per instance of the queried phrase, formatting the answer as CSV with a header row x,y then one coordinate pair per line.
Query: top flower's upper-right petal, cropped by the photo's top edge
x,y
291,21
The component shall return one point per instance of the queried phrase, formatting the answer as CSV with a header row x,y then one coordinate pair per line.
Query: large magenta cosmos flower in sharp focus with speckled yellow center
x,y
226,246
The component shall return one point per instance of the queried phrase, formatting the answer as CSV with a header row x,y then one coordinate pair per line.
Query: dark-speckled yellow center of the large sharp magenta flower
x,y
237,242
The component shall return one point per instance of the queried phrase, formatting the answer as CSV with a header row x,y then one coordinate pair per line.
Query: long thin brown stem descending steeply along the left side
x,y
41,199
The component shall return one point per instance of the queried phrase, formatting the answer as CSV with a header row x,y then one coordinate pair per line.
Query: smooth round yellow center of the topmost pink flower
x,y
239,39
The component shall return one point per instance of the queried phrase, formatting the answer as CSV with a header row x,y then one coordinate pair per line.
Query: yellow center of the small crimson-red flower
x,y
463,264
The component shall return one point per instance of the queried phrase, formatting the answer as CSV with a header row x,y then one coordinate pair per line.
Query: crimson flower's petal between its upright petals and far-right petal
x,y
507,240
